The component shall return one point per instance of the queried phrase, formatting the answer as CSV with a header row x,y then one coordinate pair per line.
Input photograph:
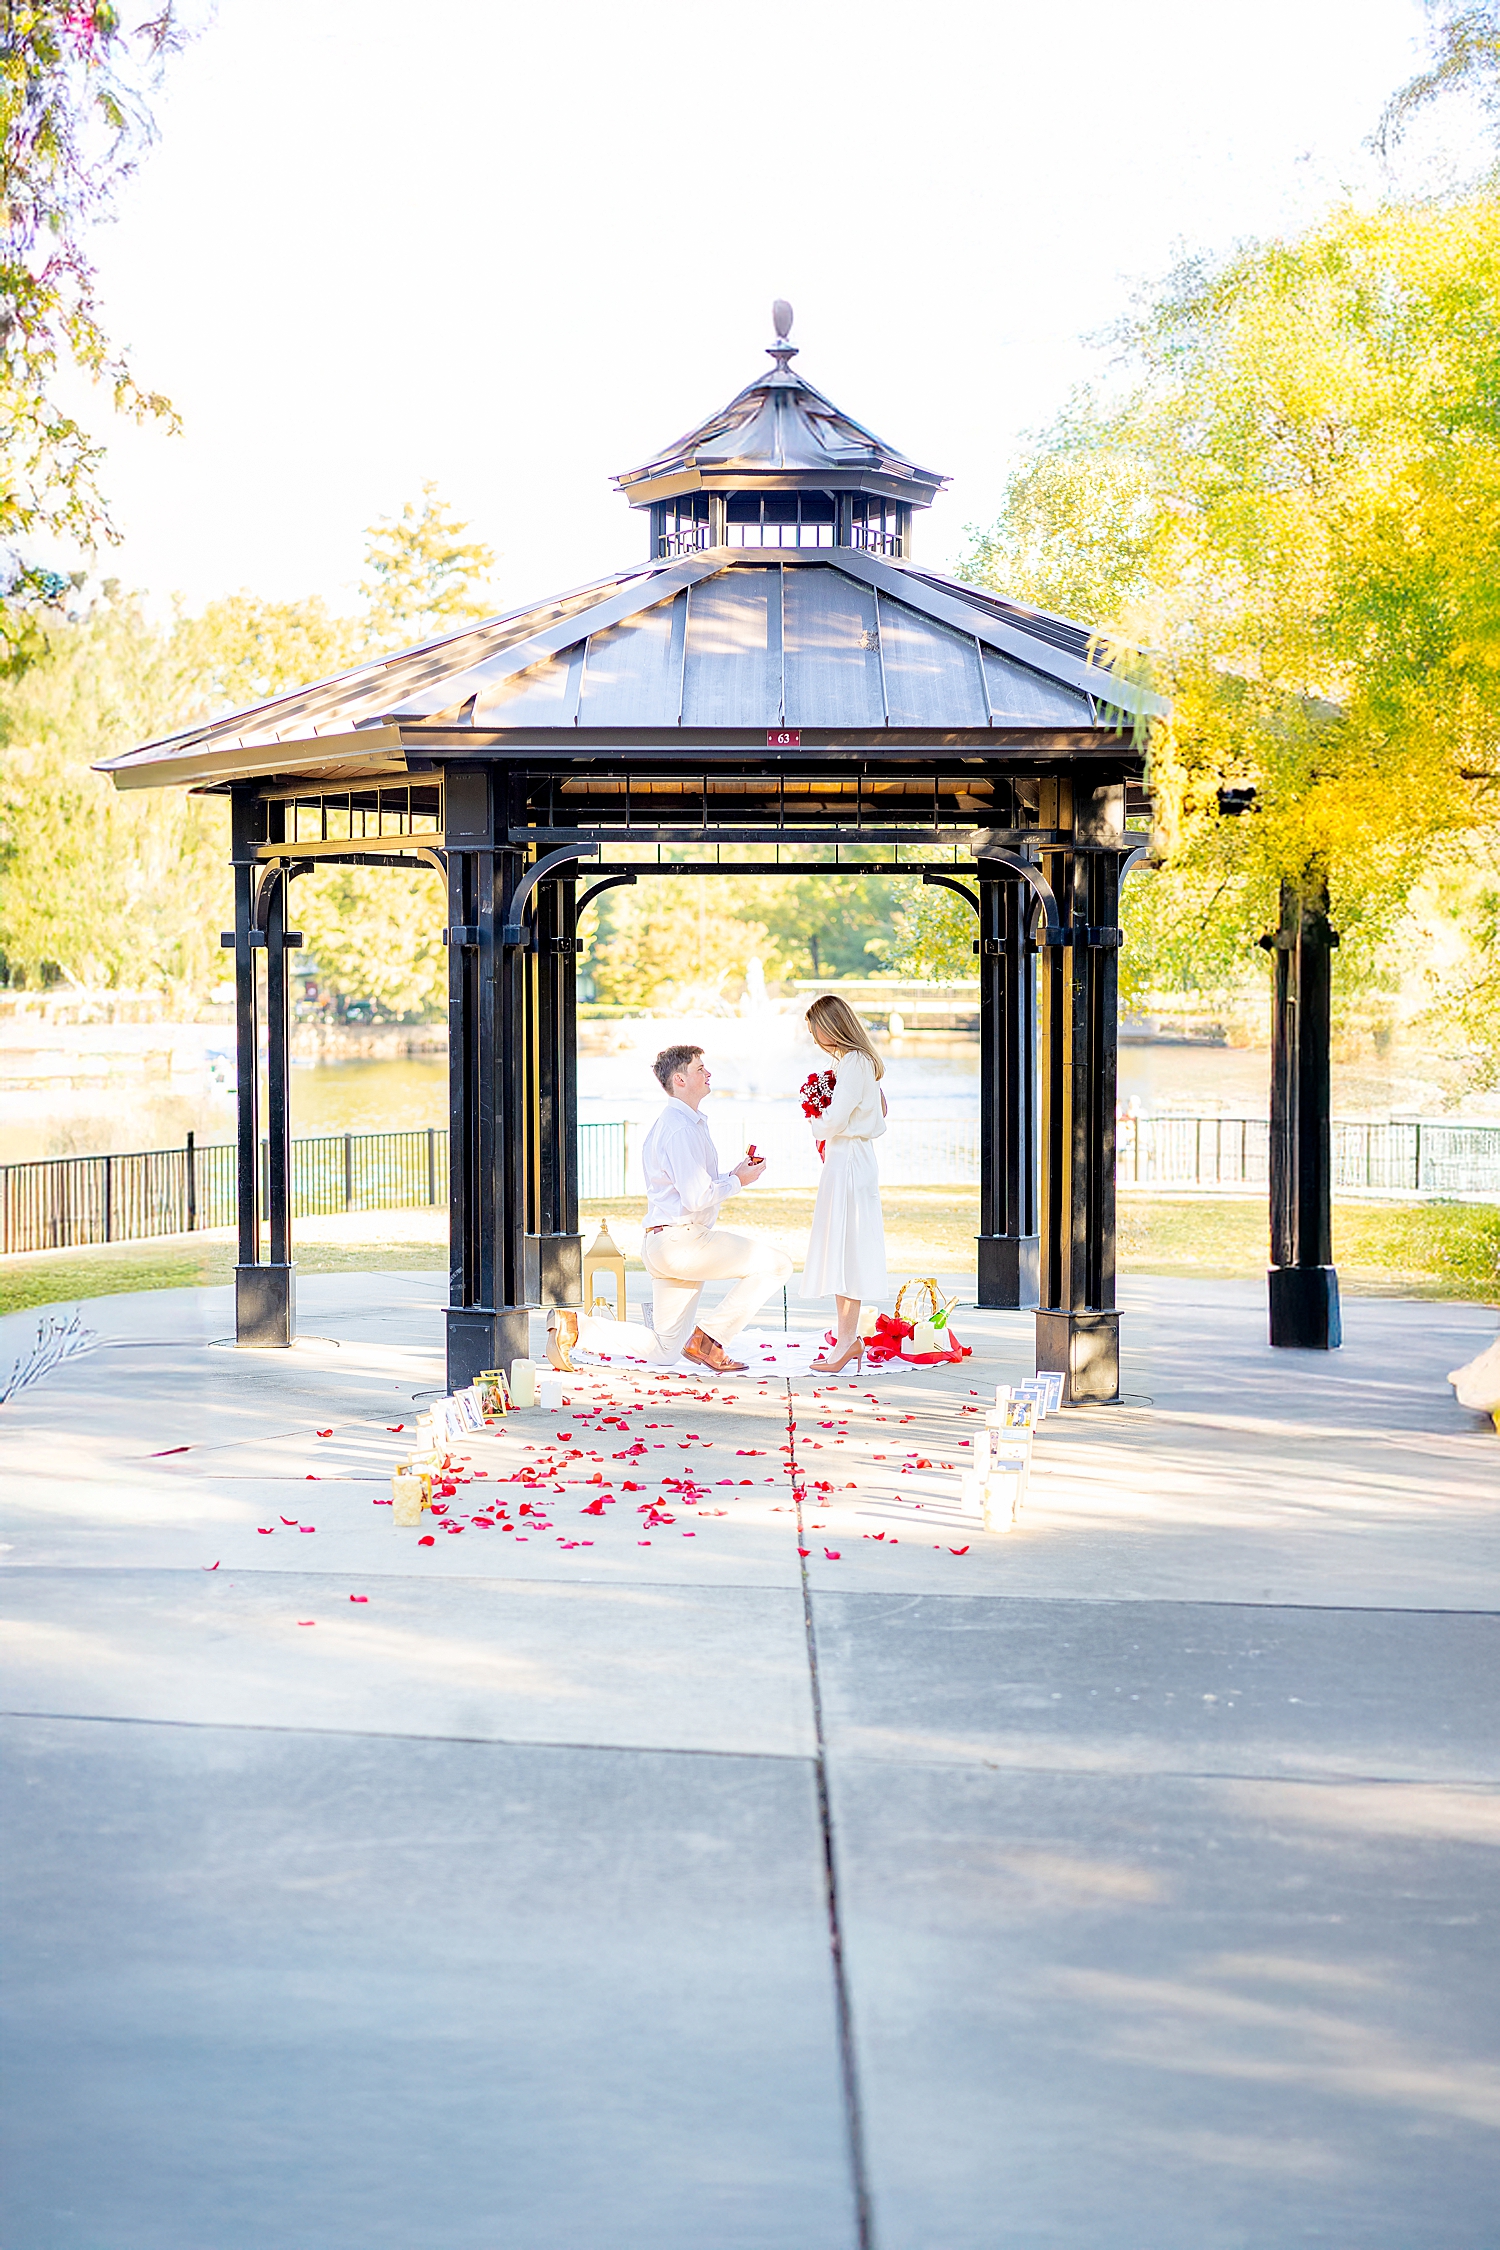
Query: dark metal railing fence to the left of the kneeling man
x,y
170,1191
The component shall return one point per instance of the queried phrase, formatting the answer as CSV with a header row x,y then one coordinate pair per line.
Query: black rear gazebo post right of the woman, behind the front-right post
x,y
1009,1243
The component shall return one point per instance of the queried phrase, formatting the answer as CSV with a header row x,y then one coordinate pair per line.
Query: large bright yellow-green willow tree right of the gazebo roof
x,y
1292,505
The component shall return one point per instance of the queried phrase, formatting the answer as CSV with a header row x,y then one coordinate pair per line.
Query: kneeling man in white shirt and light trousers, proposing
x,y
685,1248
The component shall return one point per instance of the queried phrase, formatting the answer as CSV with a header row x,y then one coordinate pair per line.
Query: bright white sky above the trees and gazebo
x,y
521,249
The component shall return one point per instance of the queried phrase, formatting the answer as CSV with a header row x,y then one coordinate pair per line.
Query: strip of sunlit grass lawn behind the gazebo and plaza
x,y
1382,1250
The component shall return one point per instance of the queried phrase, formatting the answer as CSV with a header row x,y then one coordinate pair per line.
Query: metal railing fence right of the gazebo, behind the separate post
x,y
1371,1158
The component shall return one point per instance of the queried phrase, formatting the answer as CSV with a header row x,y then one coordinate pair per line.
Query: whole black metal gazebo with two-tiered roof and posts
x,y
777,674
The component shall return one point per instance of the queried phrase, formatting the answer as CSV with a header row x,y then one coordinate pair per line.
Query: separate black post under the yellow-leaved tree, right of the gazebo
x,y
1303,1281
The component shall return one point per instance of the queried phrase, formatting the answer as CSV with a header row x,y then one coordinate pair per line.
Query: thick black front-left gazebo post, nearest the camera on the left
x,y
489,1324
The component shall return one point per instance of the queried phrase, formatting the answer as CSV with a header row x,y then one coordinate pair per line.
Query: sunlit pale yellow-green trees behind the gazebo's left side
x,y
123,890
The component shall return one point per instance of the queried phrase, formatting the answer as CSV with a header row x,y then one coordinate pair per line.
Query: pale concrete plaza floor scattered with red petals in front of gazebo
x,y
478,1893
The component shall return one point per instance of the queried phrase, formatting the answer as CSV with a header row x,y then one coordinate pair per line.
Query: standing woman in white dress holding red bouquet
x,y
847,1252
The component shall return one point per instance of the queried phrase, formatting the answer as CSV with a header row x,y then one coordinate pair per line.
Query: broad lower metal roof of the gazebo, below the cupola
x,y
712,649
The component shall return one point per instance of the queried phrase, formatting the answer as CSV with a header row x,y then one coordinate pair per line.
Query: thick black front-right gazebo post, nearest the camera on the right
x,y
1078,1326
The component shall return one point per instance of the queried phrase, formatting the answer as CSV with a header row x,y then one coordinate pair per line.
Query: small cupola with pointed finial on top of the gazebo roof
x,y
779,467
